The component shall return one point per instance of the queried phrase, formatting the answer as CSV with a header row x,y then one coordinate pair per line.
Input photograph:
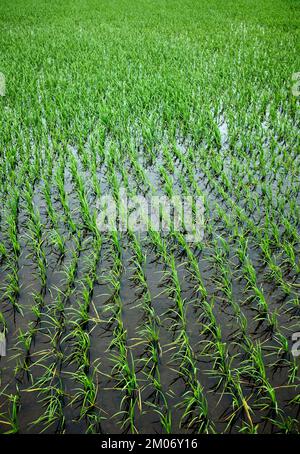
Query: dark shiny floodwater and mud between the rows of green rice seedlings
x,y
101,326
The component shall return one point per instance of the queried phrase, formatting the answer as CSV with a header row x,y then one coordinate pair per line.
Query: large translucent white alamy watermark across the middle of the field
x,y
159,213
